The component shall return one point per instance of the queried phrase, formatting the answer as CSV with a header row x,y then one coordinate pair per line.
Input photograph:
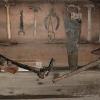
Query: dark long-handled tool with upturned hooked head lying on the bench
x,y
41,72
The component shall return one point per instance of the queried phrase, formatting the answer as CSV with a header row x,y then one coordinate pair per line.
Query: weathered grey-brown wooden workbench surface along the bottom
x,y
28,85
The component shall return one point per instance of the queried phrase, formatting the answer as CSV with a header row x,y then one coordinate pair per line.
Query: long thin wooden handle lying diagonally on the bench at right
x,y
85,67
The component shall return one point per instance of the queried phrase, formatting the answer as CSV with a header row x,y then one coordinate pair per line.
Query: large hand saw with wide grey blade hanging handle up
x,y
72,22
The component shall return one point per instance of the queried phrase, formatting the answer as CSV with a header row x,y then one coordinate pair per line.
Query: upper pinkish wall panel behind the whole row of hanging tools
x,y
40,16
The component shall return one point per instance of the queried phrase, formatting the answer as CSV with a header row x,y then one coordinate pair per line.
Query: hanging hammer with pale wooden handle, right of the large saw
x,y
90,6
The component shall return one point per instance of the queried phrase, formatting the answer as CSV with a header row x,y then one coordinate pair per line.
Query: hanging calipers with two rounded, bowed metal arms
x,y
49,24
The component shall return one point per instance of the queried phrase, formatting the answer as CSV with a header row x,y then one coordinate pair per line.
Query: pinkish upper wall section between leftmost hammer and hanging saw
x,y
28,21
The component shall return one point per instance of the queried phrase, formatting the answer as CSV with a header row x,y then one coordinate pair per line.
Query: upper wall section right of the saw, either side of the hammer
x,y
95,30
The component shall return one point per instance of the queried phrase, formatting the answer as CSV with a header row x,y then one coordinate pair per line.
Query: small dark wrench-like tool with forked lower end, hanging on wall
x,y
21,30
